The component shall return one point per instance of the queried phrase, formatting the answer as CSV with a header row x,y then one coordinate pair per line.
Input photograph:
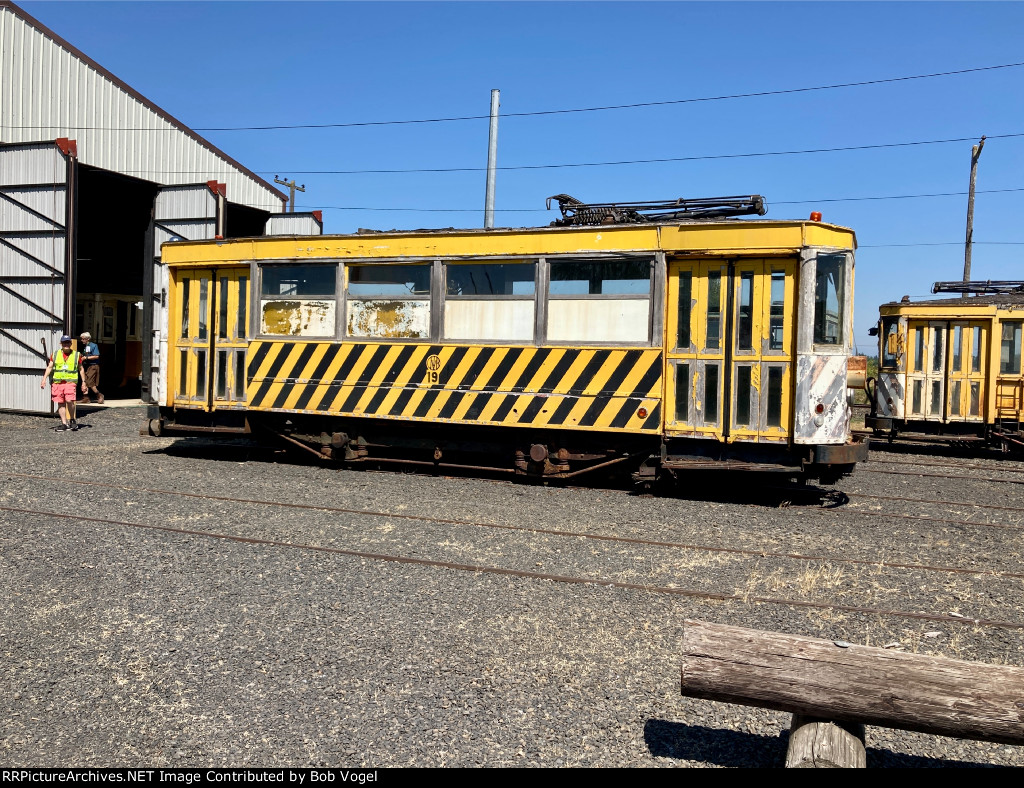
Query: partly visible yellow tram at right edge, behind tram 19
x,y
951,369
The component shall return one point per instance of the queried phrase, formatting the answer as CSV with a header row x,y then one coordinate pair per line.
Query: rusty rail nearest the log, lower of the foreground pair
x,y
525,574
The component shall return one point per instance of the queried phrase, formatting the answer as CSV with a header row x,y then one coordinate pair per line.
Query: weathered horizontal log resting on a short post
x,y
856,684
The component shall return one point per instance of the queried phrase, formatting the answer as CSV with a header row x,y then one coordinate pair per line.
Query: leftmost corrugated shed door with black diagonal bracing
x,y
33,261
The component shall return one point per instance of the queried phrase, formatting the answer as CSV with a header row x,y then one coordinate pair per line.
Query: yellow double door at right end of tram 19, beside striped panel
x,y
731,340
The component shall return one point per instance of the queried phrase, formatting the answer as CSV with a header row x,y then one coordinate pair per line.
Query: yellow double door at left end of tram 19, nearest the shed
x,y
208,368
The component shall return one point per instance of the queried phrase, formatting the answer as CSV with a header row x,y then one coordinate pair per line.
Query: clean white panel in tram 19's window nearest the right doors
x,y
599,321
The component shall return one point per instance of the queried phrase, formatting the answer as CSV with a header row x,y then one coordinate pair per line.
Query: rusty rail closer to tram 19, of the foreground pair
x,y
881,564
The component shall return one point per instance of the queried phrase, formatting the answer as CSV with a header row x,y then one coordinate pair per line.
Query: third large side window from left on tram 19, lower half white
x,y
490,302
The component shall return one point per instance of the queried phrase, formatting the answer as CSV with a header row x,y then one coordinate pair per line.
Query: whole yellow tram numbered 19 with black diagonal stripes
x,y
550,352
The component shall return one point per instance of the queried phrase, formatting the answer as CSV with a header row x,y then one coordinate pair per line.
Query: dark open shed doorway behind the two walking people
x,y
114,214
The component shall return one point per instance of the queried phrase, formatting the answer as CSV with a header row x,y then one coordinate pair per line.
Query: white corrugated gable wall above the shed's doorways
x,y
48,92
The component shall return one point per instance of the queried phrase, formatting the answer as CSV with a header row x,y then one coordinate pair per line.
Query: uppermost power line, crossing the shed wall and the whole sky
x,y
756,95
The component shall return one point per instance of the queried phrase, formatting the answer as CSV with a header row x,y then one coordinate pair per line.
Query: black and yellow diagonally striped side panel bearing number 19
x,y
574,388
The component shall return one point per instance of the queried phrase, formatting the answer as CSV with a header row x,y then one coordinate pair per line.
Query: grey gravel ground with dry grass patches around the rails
x,y
130,647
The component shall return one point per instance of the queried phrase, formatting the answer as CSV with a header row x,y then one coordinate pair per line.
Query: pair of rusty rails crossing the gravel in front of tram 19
x,y
670,590
